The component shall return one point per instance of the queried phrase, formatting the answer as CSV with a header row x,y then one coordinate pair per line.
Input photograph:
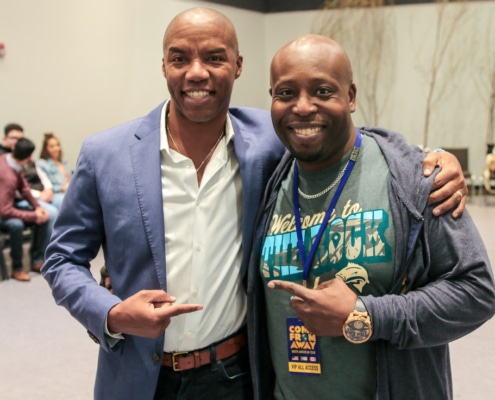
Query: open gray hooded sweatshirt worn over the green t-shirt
x,y
442,289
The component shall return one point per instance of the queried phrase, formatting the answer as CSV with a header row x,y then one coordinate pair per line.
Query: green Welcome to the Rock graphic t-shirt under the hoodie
x,y
358,246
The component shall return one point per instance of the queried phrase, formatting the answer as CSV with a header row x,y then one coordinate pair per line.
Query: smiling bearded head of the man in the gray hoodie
x,y
312,100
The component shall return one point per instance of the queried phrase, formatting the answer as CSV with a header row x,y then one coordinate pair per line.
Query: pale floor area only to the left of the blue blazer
x,y
44,353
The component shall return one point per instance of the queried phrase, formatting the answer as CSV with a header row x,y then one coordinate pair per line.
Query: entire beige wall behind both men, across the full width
x,y
76,67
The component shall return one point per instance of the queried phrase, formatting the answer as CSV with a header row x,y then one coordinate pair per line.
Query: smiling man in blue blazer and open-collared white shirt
x,y
172,199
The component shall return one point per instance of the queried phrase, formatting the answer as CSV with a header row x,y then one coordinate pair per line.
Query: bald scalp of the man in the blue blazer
x,y
202,17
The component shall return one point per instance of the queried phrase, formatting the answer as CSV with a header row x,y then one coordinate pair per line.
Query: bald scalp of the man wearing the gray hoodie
x,y
311,47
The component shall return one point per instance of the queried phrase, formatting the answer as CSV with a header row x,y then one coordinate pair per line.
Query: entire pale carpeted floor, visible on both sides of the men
x,y
46,355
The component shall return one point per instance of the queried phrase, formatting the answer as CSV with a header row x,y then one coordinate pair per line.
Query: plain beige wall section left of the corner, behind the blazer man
x,y
76,67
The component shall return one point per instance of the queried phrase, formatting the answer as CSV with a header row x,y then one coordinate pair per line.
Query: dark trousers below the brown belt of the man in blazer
x,y
228,379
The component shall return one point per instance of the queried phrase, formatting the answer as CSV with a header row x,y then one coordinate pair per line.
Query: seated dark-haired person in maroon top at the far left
x,y
12,219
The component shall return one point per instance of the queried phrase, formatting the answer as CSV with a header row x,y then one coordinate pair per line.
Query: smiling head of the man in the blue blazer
x,y
201,63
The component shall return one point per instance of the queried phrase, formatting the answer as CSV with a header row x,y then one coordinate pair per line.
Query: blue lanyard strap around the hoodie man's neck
x,y
308,260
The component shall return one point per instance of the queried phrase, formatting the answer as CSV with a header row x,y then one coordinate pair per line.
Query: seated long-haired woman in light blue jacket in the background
x,y
53,165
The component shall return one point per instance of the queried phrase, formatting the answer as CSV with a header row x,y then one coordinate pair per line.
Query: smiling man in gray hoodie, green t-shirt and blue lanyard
x,y
355,288
